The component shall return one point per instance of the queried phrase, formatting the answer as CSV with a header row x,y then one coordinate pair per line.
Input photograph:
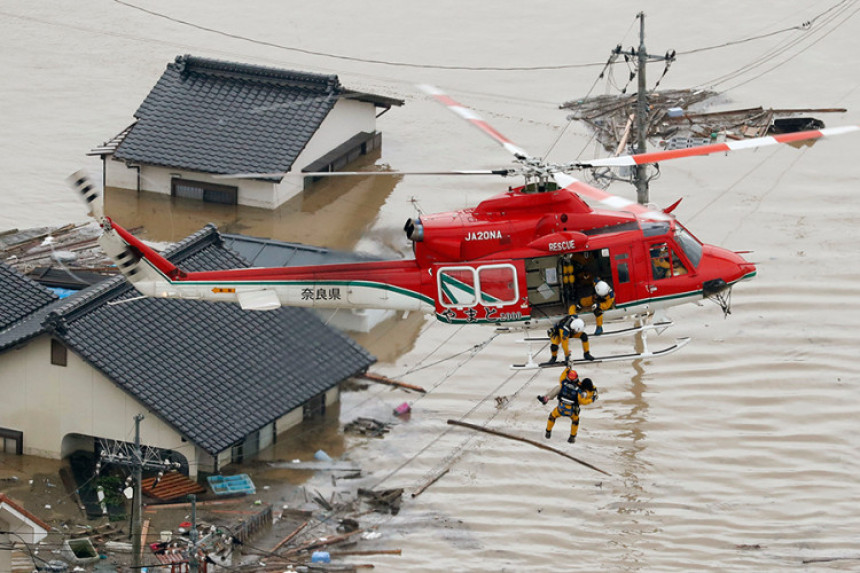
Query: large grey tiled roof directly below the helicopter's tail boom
x,y
214,372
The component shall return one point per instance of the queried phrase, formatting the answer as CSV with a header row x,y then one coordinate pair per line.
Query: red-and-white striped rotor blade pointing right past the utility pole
x,y
657,156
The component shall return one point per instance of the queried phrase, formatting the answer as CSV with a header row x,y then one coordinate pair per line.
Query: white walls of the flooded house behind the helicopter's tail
x,y
347,118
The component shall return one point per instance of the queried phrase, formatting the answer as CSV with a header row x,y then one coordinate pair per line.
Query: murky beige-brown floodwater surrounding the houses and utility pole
x,y
738,453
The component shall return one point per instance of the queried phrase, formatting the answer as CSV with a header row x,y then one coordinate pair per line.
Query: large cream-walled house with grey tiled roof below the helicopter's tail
x,y
216,383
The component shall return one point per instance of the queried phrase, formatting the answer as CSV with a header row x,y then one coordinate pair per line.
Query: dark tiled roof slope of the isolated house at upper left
x,y
223,117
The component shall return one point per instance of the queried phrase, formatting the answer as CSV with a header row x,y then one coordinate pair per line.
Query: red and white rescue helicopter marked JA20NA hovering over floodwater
x,y
506,262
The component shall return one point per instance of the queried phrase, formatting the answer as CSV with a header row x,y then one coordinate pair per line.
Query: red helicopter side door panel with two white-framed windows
x,y
485,292
